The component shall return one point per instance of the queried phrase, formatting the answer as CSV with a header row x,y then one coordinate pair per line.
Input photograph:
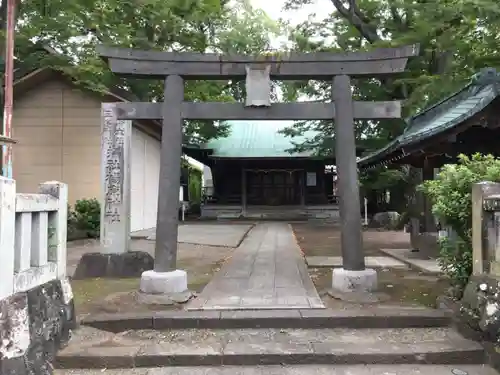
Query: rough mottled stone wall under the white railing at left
x,y
34,325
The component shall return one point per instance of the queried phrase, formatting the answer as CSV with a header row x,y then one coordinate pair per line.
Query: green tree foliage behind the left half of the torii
x,y
74,28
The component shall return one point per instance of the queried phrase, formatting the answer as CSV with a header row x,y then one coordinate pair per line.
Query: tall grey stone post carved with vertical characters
x,y
115,180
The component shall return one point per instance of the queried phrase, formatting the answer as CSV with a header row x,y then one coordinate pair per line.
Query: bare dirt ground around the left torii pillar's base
x,y
93,296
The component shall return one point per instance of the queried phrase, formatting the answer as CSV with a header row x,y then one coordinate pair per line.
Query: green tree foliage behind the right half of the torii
x,y
456,37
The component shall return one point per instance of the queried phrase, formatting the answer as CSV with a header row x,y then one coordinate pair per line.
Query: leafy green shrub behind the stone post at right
x,y
451,196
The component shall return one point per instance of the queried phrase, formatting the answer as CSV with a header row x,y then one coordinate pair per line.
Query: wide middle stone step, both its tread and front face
x,y
253,347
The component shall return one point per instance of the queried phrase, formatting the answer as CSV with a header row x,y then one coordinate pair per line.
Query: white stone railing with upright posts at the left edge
x,y
33,229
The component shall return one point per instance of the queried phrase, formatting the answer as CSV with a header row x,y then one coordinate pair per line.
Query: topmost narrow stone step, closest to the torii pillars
x,y
311,319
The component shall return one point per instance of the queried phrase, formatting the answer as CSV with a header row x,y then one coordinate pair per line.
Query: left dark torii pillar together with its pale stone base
x,y
166,284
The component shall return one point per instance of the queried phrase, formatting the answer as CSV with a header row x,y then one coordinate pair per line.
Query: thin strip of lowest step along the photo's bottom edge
x,y
297,370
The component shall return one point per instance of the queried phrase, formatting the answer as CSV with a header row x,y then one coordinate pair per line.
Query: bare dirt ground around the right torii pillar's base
x,y
405,287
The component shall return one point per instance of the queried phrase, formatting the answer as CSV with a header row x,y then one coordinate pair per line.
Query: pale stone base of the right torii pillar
x,y
346,281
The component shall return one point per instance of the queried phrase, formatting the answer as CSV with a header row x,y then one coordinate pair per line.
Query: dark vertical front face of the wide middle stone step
x,y
108,360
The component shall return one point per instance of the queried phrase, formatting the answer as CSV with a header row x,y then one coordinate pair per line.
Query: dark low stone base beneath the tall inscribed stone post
x,y
127,264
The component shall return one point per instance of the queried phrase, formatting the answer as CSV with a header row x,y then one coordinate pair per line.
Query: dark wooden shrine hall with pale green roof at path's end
x,y
256,174
